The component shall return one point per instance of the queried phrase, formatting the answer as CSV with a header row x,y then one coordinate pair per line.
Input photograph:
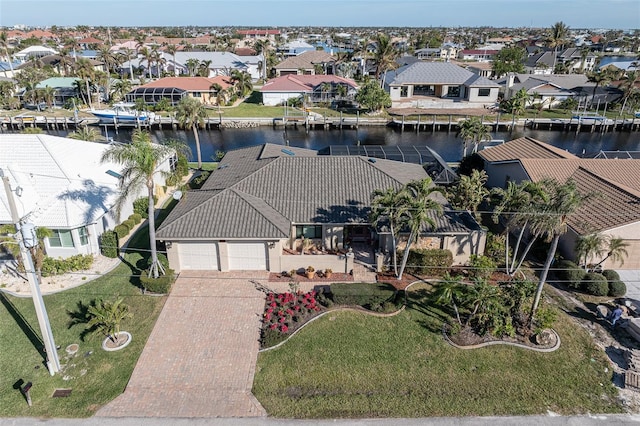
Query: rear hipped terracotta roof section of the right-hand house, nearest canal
x,y
524,147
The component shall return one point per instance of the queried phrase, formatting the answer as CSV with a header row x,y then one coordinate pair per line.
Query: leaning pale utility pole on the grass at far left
x,y
26,236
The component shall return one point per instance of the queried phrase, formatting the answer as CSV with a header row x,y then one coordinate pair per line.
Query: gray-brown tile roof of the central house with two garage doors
x,y
261,191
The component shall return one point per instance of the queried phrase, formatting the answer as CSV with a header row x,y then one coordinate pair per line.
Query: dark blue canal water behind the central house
x,y
447,144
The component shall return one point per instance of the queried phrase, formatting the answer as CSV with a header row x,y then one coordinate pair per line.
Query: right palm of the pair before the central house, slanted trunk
x,y
417,213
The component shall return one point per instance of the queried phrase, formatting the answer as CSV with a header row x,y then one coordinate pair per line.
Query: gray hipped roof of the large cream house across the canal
x,y
435,73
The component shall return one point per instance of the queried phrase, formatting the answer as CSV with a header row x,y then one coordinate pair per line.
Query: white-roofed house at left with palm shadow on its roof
x,y
74,199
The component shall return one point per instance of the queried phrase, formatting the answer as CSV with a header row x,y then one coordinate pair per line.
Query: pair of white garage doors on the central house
x,y
240,256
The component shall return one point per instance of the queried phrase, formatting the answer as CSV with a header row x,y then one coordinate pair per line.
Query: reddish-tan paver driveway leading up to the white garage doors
x,y
200,358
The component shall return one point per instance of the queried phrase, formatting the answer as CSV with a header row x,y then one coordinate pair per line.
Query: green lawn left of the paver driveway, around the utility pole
x,y
95,376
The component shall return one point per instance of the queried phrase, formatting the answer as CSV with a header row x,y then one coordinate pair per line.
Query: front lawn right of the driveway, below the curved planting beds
x,y
352,365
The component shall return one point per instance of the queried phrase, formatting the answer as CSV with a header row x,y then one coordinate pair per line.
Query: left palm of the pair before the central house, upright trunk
x,y
385,209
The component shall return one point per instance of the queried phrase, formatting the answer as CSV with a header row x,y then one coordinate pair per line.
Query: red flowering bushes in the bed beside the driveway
x,y
286,312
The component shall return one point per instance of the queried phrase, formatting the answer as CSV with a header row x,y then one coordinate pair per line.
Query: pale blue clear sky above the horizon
x,y
614,14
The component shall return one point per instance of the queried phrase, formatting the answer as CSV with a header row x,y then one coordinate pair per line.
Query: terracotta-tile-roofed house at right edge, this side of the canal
x,y
614,212
